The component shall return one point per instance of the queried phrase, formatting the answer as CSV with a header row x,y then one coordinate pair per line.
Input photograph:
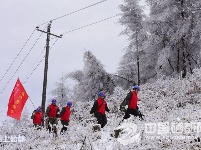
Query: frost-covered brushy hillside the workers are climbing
x,y
172,121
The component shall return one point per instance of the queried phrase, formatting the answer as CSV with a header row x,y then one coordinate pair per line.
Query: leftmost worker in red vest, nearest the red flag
x,y
37,117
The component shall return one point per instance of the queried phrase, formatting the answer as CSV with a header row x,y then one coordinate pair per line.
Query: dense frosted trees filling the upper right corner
x,y
175,35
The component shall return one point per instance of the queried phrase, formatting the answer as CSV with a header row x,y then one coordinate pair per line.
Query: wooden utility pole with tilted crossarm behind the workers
x,y
46,64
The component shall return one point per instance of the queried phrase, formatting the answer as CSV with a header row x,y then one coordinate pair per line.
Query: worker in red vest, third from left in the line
x,y
65,116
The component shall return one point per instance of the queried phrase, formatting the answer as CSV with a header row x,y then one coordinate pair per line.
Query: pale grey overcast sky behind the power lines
x,y
18,21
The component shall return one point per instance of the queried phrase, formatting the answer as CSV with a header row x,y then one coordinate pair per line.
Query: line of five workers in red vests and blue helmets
x,y
99,110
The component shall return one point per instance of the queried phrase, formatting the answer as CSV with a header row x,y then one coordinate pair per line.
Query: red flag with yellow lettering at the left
x,y
17,100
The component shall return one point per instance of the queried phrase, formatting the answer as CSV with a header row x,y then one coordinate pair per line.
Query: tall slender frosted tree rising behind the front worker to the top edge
x,y
133,19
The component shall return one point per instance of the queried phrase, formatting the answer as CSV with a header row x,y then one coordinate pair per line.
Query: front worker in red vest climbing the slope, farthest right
x,y
132,100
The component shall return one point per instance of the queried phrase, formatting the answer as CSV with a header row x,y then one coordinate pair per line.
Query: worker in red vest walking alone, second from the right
x,y
99,108
